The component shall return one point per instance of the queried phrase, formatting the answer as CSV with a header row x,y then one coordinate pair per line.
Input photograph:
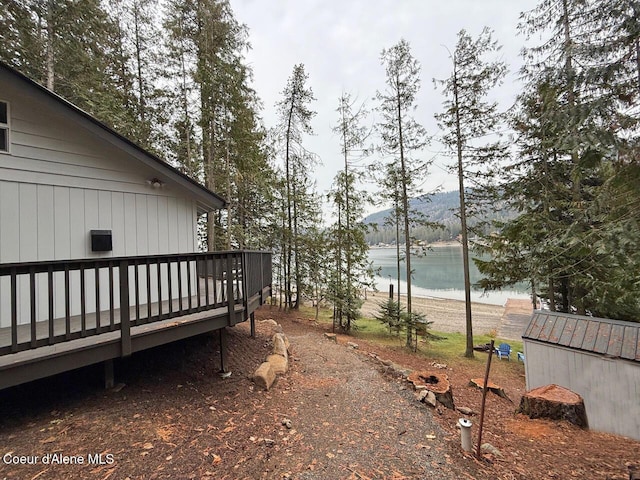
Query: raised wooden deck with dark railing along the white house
x,y
40,348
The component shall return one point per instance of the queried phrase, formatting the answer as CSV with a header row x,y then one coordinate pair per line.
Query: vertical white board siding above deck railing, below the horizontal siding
x,y
43,222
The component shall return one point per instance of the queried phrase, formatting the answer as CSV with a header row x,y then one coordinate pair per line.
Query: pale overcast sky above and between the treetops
x,y
340,41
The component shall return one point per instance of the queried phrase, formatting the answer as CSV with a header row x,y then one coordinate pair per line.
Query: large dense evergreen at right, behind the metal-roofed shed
x,y
575,135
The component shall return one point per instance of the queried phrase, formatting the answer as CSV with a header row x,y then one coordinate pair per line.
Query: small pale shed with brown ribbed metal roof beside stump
x,y
597,358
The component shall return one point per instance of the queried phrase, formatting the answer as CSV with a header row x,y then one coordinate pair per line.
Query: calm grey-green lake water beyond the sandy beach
x,y
437,274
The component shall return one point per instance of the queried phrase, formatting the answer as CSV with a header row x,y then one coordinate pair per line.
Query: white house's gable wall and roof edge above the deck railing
x,y
64,174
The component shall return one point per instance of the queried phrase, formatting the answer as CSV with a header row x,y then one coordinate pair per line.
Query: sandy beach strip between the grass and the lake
x,y
446,315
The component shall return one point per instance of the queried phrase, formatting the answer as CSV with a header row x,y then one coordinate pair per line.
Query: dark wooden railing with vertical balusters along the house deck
x,y
45,303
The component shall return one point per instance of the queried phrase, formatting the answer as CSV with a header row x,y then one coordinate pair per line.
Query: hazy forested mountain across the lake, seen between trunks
x,y
440,207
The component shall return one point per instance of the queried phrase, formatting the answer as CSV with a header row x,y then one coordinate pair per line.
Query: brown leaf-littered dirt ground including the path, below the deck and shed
x,y
173,417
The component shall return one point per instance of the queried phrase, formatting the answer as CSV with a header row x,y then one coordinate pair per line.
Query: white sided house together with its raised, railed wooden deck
x,y
98,243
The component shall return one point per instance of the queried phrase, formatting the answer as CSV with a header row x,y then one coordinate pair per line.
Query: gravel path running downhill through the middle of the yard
x,y
352,422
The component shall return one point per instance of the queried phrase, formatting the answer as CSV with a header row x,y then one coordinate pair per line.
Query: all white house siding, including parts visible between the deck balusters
x,y
59,182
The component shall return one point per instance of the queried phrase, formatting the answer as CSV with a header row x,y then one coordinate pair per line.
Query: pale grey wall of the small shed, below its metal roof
x,y
610,387
